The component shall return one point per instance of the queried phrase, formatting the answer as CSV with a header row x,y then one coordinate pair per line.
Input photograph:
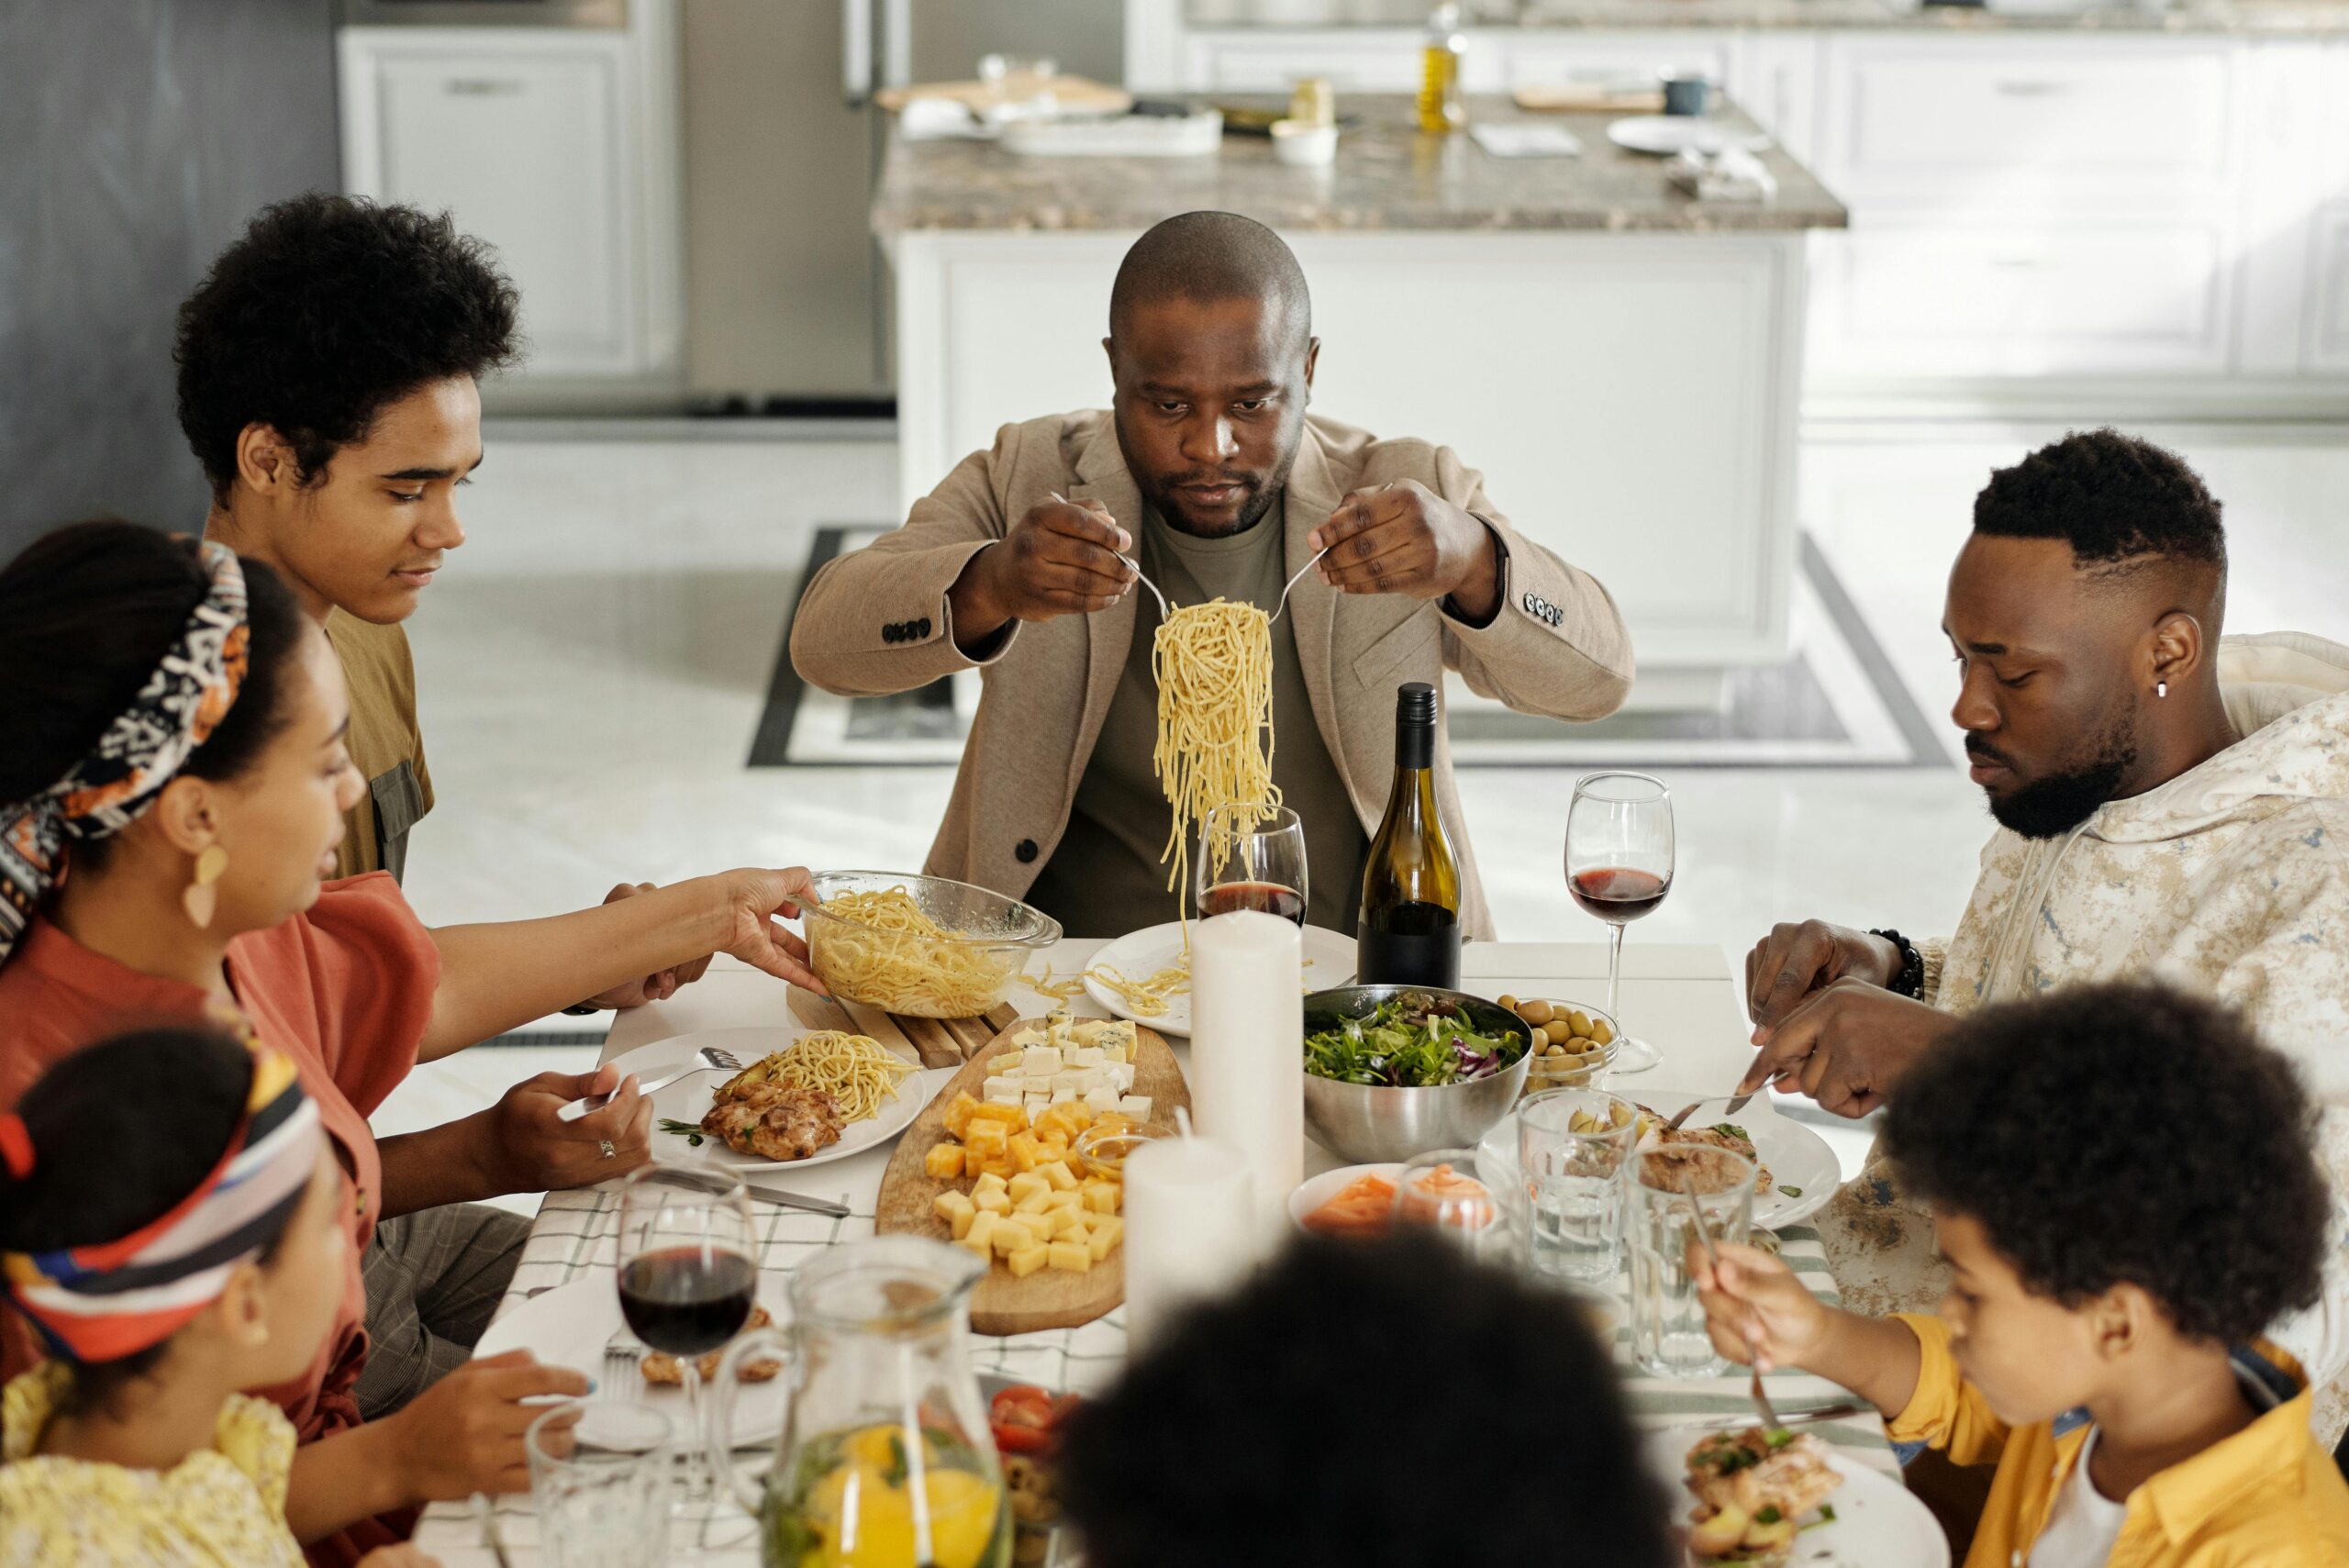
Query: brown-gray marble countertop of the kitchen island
x,y
1387,177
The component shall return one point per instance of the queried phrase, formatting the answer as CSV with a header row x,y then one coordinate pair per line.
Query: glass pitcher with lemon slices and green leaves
x,y
884,1459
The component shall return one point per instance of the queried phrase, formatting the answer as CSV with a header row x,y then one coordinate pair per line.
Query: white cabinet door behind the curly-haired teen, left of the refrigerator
x,y
525,140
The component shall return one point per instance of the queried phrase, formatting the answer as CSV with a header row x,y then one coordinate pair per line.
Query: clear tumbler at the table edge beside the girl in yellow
x,y
600,1485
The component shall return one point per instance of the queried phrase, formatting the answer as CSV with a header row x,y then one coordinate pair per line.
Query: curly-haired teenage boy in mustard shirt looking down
x,y
330,384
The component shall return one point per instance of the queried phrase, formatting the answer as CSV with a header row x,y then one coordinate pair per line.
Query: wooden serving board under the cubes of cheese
x,y
1046,1299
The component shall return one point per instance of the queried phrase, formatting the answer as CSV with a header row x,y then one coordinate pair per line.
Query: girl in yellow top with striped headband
x,y
168,1224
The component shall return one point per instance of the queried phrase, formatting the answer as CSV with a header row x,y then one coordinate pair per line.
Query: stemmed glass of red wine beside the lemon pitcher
x,y
689,1276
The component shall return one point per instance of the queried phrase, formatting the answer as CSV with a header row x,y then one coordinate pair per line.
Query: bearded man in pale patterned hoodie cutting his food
x,y
2167,806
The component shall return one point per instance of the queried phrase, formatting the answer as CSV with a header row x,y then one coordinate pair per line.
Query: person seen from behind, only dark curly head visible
x,y
1368,1405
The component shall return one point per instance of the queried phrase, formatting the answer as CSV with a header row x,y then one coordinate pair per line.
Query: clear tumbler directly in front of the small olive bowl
x,y
1573,1151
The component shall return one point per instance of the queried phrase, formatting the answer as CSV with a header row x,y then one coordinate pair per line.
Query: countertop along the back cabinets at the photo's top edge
x,y
2252,18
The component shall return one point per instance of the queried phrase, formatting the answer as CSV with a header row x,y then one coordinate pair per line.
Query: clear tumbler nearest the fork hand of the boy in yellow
x,y
1671,1194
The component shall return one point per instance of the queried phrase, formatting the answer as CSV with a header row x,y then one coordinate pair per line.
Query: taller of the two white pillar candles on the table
x,y
1248,1055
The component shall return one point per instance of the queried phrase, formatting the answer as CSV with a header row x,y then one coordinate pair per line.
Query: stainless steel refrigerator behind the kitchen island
x,y
786,290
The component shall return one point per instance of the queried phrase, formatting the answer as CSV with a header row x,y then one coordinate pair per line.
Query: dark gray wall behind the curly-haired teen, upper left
x,y
135,142
